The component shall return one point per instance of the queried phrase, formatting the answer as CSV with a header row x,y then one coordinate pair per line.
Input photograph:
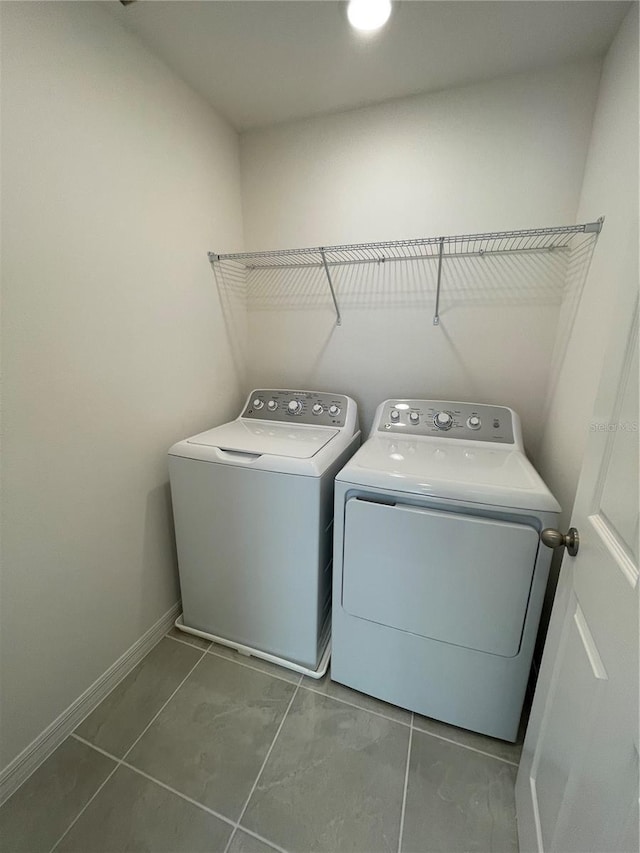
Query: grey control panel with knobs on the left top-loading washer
x,y
307,407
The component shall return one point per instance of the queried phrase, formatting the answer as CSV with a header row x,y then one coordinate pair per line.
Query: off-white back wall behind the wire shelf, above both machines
x,y
500,155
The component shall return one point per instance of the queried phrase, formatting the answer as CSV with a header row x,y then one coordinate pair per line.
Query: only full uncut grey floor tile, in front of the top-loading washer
x,y
211,739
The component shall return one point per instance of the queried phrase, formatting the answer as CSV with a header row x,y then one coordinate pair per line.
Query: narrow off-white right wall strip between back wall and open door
x,y
610,188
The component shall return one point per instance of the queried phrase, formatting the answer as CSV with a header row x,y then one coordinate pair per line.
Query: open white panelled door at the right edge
x,y
577,786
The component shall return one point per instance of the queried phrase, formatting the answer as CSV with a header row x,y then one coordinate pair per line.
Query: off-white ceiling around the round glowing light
x,y
262,62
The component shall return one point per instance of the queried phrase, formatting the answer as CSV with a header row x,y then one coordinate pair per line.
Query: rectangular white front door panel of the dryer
x,y
460,579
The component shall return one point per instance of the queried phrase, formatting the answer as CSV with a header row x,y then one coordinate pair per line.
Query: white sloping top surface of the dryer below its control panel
x,y
447,469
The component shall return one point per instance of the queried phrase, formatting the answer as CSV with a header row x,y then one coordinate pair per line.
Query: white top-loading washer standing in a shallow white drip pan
x,y
253,511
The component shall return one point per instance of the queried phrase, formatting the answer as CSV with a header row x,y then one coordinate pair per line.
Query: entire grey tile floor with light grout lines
x,y
202,749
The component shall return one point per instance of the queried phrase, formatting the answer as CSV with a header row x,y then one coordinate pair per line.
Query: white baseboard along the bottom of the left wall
x,y
24,764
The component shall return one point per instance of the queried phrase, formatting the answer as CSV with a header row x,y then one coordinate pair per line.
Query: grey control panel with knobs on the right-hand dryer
x,y
469,421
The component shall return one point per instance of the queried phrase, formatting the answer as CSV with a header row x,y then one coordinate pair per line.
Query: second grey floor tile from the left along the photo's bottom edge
x,y
132,813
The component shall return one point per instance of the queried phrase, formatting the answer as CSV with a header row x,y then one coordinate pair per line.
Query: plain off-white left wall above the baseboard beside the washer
x,y
116,180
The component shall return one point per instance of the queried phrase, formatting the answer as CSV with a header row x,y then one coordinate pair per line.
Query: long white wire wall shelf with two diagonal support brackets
x,y
426,248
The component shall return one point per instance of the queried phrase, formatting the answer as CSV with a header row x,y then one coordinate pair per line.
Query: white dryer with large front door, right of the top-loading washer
x,y
439,573
